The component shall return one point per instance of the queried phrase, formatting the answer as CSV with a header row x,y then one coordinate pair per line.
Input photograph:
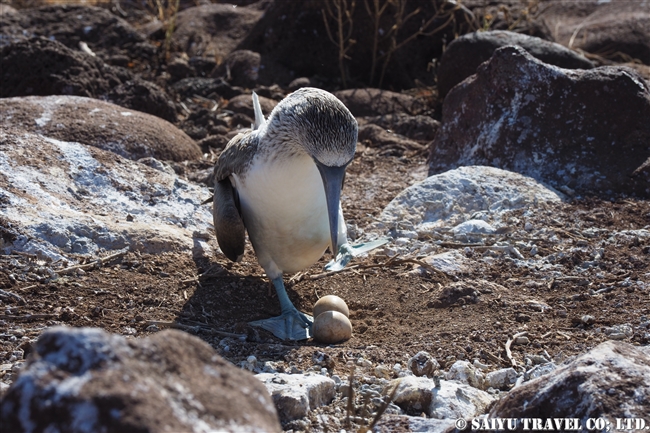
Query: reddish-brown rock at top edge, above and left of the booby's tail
x,y
213,30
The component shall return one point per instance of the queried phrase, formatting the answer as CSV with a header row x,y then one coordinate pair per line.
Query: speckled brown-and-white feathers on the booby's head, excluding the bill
x,y
318,122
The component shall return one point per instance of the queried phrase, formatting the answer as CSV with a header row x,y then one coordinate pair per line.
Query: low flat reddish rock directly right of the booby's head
x,y
377,102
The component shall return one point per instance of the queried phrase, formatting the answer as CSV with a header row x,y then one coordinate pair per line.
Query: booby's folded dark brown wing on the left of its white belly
x,y
228,223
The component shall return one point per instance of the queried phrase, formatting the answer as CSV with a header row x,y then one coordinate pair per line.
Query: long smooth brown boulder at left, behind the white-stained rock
x,y
128,133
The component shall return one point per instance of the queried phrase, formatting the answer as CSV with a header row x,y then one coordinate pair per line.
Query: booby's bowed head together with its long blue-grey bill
x,y
318,123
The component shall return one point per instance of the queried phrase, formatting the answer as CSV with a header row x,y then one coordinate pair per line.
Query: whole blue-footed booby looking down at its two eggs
x,y
282,183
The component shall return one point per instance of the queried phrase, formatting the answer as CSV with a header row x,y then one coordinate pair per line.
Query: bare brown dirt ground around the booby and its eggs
x,y
395,312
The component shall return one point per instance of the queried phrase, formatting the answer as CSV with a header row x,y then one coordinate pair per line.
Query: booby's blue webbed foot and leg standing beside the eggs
x,y
291,324
